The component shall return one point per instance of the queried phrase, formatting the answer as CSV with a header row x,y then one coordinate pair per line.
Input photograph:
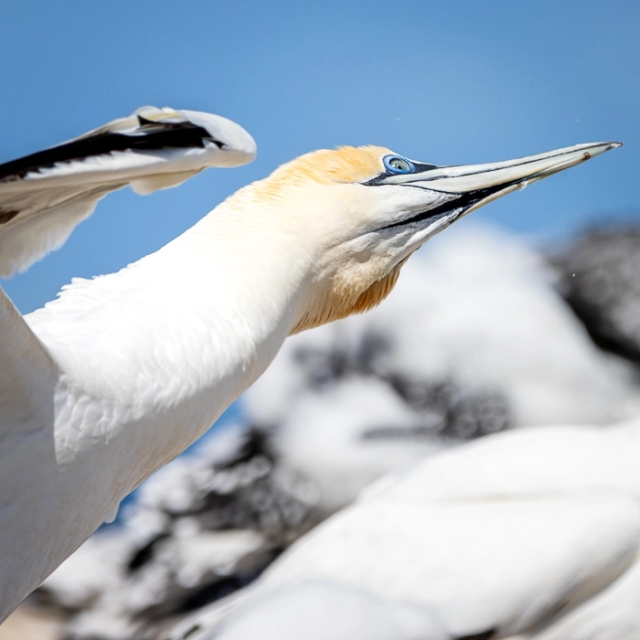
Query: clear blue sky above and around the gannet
x,y
445,82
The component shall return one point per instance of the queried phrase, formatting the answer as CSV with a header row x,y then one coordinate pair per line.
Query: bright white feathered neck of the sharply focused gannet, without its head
x,y
161,348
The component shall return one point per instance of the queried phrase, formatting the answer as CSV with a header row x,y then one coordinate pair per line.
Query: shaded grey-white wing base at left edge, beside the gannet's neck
x,y
28,377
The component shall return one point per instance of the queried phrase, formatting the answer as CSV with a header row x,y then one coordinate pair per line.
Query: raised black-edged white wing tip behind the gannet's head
x,y
43,196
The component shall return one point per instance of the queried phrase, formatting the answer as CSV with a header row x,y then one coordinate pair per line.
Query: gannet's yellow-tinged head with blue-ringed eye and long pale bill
x,y
367,209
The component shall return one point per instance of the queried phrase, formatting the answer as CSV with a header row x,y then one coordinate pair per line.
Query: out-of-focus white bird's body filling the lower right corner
x,y
530,534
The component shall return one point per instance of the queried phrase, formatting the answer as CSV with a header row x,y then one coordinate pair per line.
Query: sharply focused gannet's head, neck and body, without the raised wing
x,y
121,373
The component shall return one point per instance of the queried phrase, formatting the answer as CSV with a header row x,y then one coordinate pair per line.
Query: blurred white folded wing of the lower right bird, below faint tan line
x,y
484,568
